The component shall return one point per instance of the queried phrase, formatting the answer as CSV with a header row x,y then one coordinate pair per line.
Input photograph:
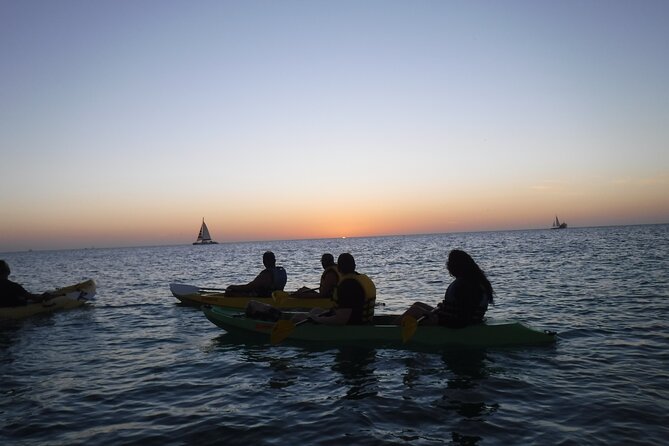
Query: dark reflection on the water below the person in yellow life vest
x,y
356,366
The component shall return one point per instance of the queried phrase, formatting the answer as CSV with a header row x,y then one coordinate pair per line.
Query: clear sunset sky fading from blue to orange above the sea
x,y
125,122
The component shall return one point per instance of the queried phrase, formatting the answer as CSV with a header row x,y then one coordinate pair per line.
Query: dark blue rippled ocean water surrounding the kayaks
x,y
136,367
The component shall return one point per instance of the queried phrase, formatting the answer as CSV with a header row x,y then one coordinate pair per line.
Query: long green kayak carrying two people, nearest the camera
x,y
384,332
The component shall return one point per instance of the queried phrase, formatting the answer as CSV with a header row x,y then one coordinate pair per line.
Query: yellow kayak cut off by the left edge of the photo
x,y
69,297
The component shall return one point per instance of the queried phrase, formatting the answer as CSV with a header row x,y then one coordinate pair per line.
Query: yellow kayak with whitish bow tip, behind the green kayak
x,y
218,298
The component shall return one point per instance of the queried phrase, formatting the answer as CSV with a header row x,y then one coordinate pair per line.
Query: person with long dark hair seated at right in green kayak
x,y
466,299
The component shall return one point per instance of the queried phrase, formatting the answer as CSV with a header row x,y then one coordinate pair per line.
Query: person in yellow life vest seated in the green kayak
x,y
354,298
